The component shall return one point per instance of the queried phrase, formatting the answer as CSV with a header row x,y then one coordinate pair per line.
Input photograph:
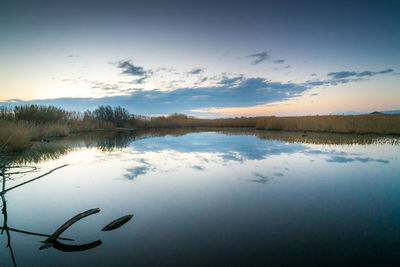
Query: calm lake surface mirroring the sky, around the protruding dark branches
x,y
206,198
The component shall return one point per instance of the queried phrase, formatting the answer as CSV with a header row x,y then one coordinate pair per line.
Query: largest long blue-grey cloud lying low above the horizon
x,y
230,92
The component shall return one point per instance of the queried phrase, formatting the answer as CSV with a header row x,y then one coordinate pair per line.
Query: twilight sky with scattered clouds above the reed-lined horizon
x,y
203,58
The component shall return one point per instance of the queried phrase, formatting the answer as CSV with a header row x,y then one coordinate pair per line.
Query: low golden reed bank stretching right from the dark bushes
x,y
359,124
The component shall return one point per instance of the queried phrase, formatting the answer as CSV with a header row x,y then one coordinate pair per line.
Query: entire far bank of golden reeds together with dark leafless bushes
x,y
21,125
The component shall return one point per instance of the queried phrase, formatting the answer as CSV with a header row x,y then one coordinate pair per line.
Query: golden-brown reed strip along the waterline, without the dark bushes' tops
x,y
18,135
